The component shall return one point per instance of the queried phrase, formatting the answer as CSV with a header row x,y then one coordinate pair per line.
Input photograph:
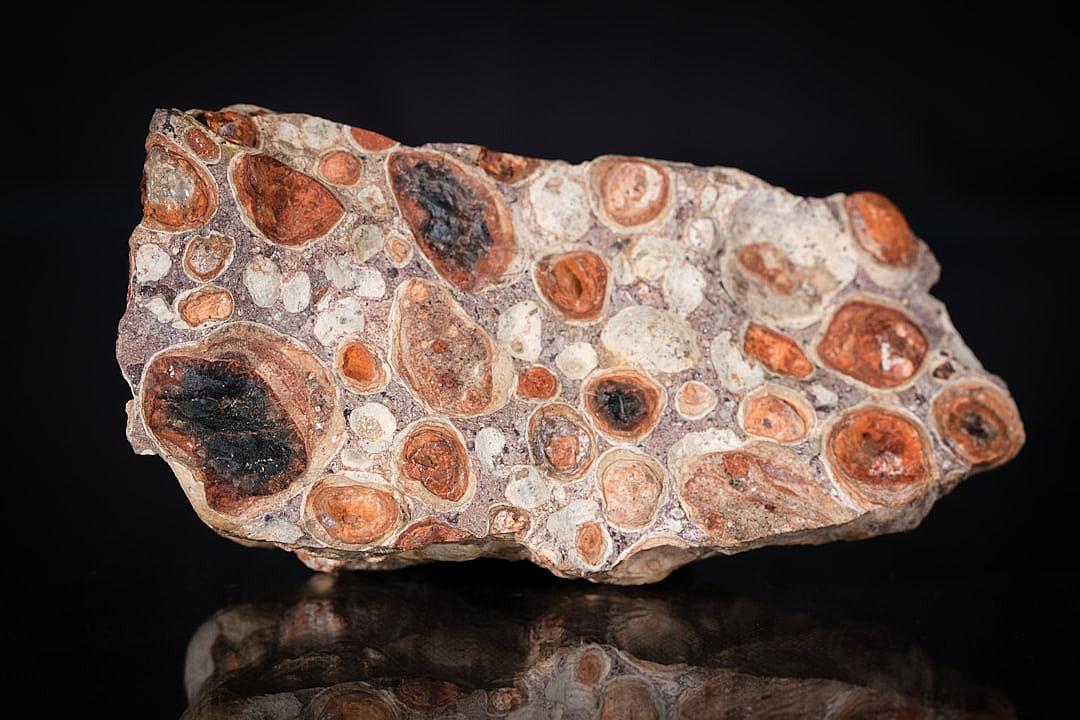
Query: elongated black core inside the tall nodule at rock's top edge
x,y
454,228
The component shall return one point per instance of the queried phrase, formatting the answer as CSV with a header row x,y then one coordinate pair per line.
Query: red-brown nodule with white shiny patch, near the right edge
x,y
873,344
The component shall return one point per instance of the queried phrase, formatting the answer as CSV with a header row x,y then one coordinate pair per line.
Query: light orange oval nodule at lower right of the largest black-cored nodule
x,y
354,514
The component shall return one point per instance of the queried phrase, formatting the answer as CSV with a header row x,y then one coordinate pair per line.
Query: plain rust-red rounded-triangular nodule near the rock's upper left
x,y
287,206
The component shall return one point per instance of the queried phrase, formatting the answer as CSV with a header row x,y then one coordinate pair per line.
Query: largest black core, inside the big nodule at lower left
x,y
242,434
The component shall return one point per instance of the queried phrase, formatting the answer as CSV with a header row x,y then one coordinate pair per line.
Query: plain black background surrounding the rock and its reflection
x,y
962,117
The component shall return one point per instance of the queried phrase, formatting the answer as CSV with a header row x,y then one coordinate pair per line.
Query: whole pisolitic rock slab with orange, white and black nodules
x,y
376,356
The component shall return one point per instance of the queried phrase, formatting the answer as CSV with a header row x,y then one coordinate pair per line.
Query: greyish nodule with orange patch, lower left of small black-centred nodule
x,y
561,443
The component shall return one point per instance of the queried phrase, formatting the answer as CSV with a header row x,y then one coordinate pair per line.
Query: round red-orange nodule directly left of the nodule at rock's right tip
x,y
881,457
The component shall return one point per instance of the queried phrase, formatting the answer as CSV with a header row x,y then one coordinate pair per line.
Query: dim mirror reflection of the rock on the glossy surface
x,y
418,647
